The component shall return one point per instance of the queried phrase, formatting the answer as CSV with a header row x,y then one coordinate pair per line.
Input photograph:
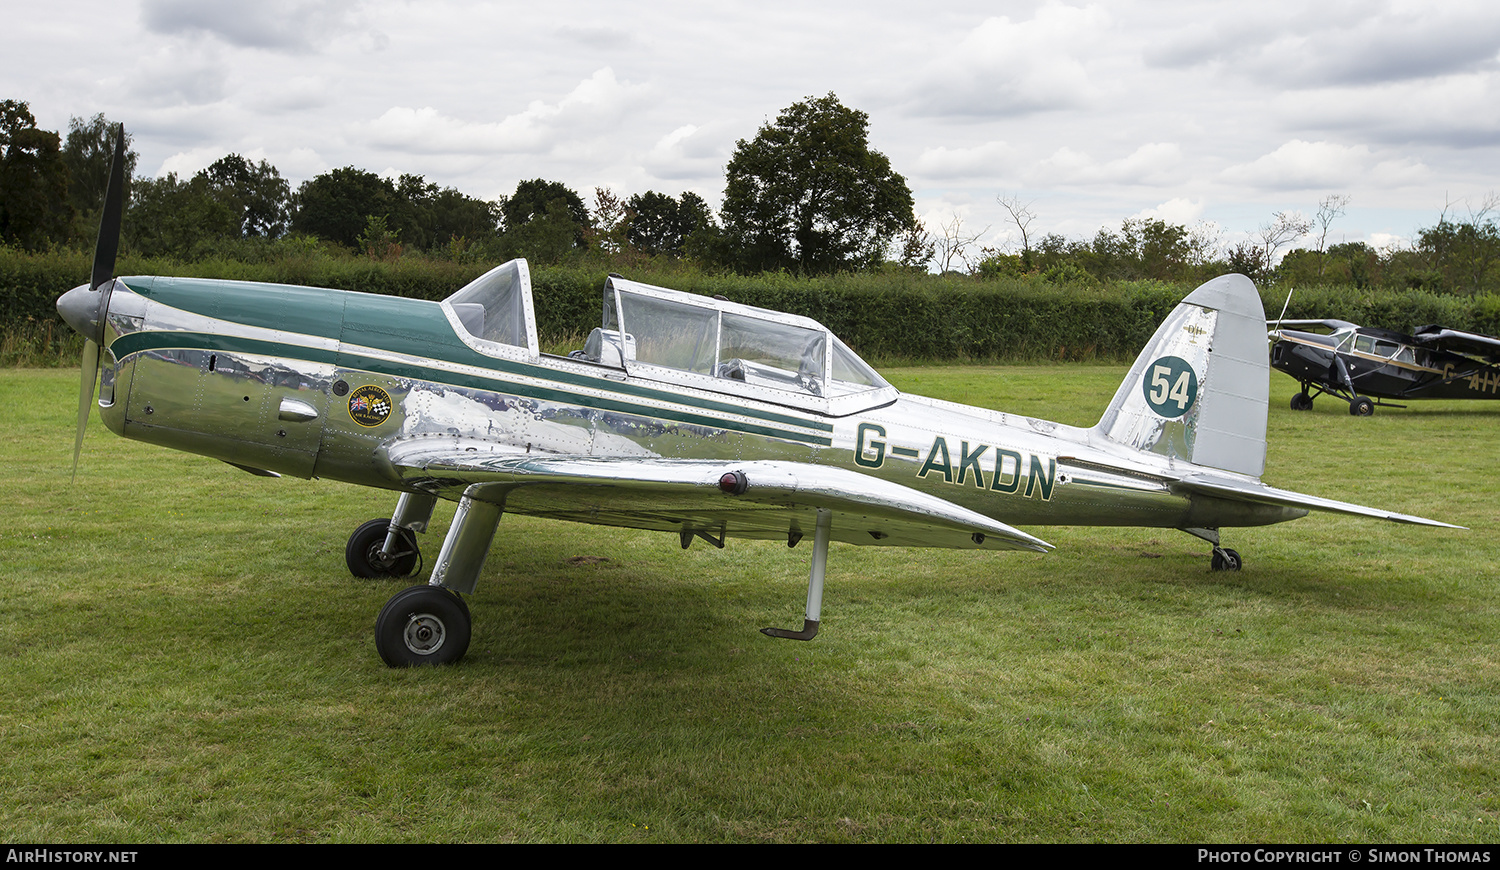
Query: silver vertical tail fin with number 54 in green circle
x,y
1199,389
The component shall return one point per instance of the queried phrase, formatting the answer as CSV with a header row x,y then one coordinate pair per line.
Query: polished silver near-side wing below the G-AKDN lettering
x,y
779,500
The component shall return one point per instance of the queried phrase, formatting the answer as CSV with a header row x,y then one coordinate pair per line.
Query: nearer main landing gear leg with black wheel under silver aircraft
x,y
431,625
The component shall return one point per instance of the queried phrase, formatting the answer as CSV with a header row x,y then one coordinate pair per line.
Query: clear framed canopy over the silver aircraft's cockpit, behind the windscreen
x,y
719,346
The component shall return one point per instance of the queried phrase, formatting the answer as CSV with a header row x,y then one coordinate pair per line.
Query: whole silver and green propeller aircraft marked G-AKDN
x,y
682,413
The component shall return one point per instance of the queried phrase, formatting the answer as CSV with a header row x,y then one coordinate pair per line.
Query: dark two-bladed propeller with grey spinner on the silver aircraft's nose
x,y
85,310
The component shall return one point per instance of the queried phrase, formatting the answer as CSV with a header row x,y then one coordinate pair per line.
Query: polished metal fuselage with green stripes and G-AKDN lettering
x,y
278,379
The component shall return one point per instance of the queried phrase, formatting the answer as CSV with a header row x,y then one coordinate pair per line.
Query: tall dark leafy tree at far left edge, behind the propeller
x,y
34,181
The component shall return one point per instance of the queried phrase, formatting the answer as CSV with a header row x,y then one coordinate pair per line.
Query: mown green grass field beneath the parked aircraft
x,y
187,659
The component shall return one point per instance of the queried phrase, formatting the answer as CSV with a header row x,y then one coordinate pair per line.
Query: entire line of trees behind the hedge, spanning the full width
x,y
806,196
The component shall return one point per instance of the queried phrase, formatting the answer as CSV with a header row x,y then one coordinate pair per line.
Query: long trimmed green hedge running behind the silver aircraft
x,y
886,317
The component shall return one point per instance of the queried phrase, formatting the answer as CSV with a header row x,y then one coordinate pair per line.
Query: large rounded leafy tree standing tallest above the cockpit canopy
x,y
808,194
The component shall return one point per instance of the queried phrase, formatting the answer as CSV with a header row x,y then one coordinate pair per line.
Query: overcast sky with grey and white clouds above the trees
x,y
1091,113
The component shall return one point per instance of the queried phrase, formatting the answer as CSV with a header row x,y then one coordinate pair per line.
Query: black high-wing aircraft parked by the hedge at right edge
x,y
1361,365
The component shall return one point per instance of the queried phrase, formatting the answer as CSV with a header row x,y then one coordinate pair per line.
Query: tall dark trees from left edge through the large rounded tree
x,y
806,194
